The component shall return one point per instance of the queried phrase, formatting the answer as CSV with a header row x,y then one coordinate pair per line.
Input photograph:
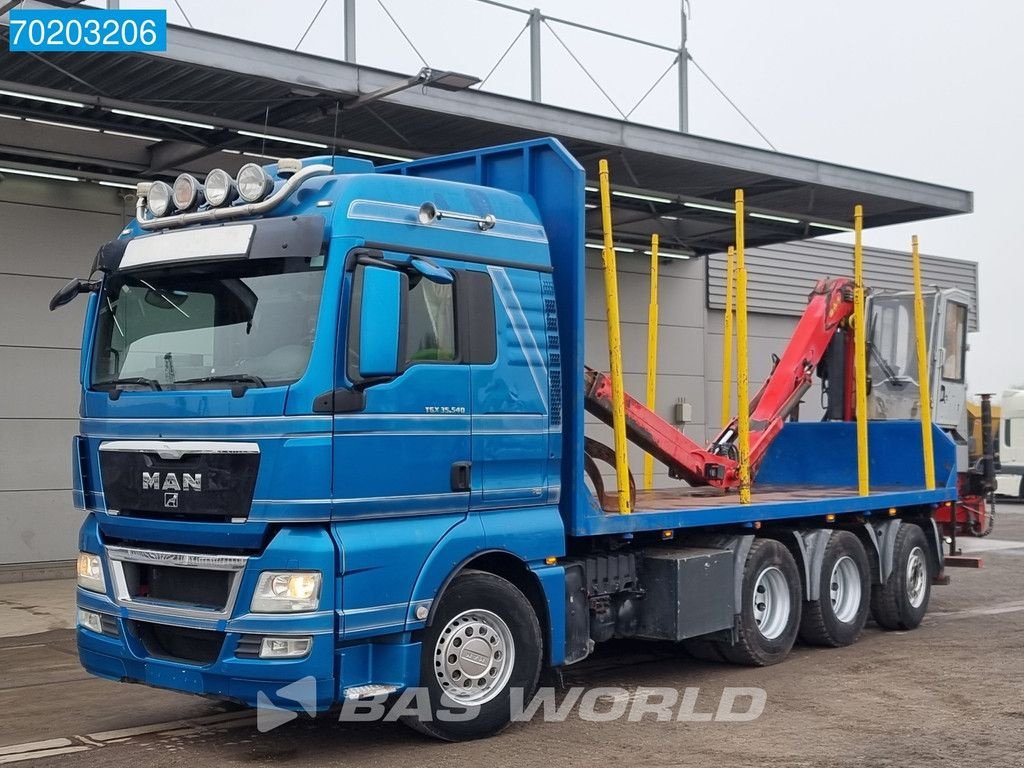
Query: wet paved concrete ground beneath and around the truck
x,y
950,694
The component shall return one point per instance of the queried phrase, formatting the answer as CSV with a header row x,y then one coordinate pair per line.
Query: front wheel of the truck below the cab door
x,y
485,642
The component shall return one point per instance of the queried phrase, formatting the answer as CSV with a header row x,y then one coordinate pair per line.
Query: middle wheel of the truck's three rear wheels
x,y
838,617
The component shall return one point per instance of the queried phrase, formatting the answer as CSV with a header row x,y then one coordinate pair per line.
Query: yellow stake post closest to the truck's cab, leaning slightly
x,y
615,347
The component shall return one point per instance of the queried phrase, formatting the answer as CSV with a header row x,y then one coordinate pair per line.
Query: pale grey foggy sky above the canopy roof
x,y
926,90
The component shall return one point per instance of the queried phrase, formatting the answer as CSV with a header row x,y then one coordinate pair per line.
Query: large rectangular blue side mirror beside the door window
x,y
382,322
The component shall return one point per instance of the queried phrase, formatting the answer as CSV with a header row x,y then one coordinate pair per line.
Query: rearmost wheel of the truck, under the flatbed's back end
x,y
902,603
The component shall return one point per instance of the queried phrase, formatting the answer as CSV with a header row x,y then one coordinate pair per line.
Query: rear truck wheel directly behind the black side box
x,y
770,615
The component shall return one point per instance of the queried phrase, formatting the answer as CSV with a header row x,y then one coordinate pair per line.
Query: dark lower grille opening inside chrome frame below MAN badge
x,y
195,587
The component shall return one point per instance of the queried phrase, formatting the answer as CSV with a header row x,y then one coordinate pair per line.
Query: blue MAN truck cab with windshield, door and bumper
x,y
268,404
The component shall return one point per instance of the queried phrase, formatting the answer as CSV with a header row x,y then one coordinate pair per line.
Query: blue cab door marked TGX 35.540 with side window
x,y
402,440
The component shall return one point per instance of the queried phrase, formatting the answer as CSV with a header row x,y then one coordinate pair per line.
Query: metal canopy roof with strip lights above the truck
x,y
231,86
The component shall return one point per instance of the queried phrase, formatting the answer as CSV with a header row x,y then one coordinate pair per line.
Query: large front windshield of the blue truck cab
x,y
216,324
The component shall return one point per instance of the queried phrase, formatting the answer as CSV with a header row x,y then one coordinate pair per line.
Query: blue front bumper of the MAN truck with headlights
x,y
220,650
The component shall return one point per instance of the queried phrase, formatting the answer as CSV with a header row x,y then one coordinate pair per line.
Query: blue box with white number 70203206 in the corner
x,y
89,30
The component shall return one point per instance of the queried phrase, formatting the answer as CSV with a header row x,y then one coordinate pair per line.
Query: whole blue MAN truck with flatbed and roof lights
x,y
332,430
